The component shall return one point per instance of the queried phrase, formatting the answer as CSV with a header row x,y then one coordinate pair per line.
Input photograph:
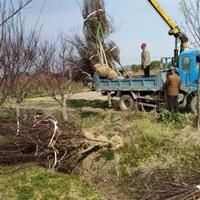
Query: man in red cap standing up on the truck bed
x,y
145,60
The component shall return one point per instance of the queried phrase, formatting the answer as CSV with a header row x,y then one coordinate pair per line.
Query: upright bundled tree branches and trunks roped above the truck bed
x,y
95,48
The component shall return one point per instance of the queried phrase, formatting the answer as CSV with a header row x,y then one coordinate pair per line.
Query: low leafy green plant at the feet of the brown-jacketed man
x,y
165,116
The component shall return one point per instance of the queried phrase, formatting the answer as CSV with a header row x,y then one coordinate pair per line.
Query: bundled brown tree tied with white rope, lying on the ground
x,y
48,143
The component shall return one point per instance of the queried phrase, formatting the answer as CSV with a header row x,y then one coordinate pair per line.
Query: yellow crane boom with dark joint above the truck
x,y
174,29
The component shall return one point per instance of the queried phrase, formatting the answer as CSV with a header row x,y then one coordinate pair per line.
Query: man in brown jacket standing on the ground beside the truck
x,y
172,86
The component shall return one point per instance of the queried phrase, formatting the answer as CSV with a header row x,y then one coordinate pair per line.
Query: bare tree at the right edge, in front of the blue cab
x,y
191,12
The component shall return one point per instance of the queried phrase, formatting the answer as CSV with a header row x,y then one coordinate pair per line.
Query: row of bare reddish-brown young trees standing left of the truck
x,y
25,58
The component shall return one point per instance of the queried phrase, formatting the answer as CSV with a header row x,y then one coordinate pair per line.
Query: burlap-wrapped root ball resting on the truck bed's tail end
x,y
105,71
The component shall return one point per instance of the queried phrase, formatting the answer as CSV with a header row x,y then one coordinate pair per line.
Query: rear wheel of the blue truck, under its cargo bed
x,y
126,103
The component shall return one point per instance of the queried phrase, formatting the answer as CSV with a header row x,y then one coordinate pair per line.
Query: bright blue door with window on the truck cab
x,y
185,69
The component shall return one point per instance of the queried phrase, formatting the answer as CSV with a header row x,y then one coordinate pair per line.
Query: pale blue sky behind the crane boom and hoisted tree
x,y
135,22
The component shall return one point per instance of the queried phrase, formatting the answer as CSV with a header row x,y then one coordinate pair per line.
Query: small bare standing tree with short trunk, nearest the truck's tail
x,y
59,70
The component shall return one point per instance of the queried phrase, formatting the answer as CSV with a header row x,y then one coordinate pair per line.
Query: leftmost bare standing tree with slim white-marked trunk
x,y
18,58
